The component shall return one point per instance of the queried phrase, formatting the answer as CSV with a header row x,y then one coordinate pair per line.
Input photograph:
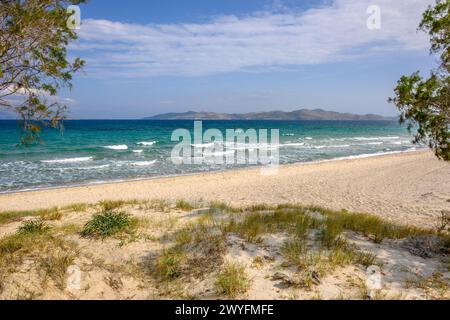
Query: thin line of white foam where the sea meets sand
x,y
115,181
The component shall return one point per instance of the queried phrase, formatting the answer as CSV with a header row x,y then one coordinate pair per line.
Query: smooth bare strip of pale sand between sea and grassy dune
x,y
411,188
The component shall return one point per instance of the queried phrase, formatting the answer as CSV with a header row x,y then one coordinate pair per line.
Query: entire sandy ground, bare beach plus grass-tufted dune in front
x,y
156,246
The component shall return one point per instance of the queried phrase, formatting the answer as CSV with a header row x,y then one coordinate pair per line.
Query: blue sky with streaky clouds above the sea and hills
x,y
149,57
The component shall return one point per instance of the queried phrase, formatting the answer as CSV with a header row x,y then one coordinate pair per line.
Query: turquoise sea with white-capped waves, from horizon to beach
x,y
109,150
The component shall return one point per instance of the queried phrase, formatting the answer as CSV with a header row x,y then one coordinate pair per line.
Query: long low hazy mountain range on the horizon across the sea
x,y
302,114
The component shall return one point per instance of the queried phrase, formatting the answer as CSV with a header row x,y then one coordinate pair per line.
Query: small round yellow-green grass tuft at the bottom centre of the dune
x,y
232,280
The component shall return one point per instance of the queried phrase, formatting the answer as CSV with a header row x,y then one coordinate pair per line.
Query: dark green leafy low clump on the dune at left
x,y
107,224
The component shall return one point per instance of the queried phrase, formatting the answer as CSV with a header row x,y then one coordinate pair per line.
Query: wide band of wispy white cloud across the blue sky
x,y
258,42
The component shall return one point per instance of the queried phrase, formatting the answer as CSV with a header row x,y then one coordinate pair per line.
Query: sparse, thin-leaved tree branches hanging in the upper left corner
x,y
34,36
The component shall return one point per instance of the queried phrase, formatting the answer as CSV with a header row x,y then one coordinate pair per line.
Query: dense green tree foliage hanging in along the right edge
x,y
424,103
